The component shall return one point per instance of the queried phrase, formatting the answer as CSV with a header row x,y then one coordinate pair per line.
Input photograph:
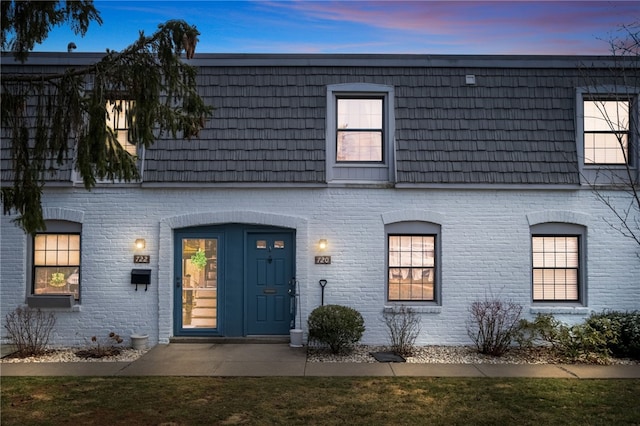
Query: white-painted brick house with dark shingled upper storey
x,y
430,181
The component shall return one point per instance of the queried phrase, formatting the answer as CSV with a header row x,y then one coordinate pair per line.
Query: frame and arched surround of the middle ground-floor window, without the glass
x,y
417,228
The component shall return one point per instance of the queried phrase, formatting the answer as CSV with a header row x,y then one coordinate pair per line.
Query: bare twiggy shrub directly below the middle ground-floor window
x,y
403,325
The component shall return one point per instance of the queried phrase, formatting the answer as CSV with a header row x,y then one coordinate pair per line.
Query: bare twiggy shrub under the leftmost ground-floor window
x,y
29,329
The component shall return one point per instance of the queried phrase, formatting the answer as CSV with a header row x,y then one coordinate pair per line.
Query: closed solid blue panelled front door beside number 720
x,y
269,272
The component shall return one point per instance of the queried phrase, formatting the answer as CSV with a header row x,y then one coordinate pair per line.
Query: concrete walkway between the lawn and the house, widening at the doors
x,y
260,360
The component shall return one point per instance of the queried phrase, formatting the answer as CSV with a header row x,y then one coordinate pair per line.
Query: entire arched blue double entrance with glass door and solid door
x,y
233,280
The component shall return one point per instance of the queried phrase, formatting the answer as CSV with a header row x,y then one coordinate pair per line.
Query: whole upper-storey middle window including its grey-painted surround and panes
x,y
360,133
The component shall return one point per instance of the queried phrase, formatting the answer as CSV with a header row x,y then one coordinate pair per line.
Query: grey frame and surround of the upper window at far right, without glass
x,y
608,174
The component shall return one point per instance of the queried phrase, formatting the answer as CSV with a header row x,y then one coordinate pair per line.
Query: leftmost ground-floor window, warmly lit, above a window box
x,y
56,260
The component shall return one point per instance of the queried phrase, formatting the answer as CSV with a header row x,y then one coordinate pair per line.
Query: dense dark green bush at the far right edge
x,y
626,328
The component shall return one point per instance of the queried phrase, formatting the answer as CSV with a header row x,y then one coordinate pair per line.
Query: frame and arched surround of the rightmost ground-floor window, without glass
x,y
558,229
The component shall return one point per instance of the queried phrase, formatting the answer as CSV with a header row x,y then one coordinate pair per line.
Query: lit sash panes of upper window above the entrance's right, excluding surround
x,y
359,130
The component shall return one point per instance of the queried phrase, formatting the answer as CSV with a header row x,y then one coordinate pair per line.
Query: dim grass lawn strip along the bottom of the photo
x,y
308,401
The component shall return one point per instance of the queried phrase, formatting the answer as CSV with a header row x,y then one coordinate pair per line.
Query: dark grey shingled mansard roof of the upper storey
x,y
515,125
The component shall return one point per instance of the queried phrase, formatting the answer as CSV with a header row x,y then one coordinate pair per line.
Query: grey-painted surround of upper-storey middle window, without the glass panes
x,y
342,172
